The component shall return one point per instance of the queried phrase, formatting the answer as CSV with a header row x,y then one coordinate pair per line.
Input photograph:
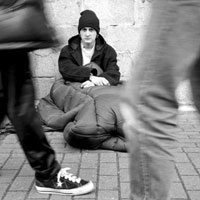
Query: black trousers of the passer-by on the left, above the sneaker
x,y
17,102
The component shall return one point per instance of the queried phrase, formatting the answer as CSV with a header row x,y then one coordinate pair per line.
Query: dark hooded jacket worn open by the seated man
x,y
71,65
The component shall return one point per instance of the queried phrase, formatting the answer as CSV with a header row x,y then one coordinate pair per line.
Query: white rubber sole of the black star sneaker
x,y
89,187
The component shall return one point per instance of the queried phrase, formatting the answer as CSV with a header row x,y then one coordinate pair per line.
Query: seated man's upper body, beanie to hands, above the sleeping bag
x,y
88,58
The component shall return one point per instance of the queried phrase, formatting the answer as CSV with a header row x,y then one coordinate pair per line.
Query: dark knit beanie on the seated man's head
x,y
88,19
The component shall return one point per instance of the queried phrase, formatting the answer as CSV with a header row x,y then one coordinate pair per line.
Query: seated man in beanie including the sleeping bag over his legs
x,y
89,116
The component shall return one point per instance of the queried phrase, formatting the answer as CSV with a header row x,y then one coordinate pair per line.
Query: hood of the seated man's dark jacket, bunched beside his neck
x,y
74,42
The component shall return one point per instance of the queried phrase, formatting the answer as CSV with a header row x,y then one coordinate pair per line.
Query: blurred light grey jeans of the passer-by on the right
x,y
149,106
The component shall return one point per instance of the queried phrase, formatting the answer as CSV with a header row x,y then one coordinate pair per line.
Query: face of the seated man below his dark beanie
x,y
88,35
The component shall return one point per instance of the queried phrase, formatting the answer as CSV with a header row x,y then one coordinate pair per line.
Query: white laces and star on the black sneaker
x,y
63,173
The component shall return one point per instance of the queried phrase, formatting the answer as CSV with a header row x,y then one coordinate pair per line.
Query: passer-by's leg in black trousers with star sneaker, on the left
x,y
50,178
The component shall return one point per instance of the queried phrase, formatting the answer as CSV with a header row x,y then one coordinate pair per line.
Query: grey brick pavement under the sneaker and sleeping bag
x,y
107,169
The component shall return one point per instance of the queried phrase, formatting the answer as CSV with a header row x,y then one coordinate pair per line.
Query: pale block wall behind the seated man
x,y
122,23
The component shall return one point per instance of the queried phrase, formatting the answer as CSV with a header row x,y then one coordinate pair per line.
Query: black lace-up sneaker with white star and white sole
x,y
64,184
